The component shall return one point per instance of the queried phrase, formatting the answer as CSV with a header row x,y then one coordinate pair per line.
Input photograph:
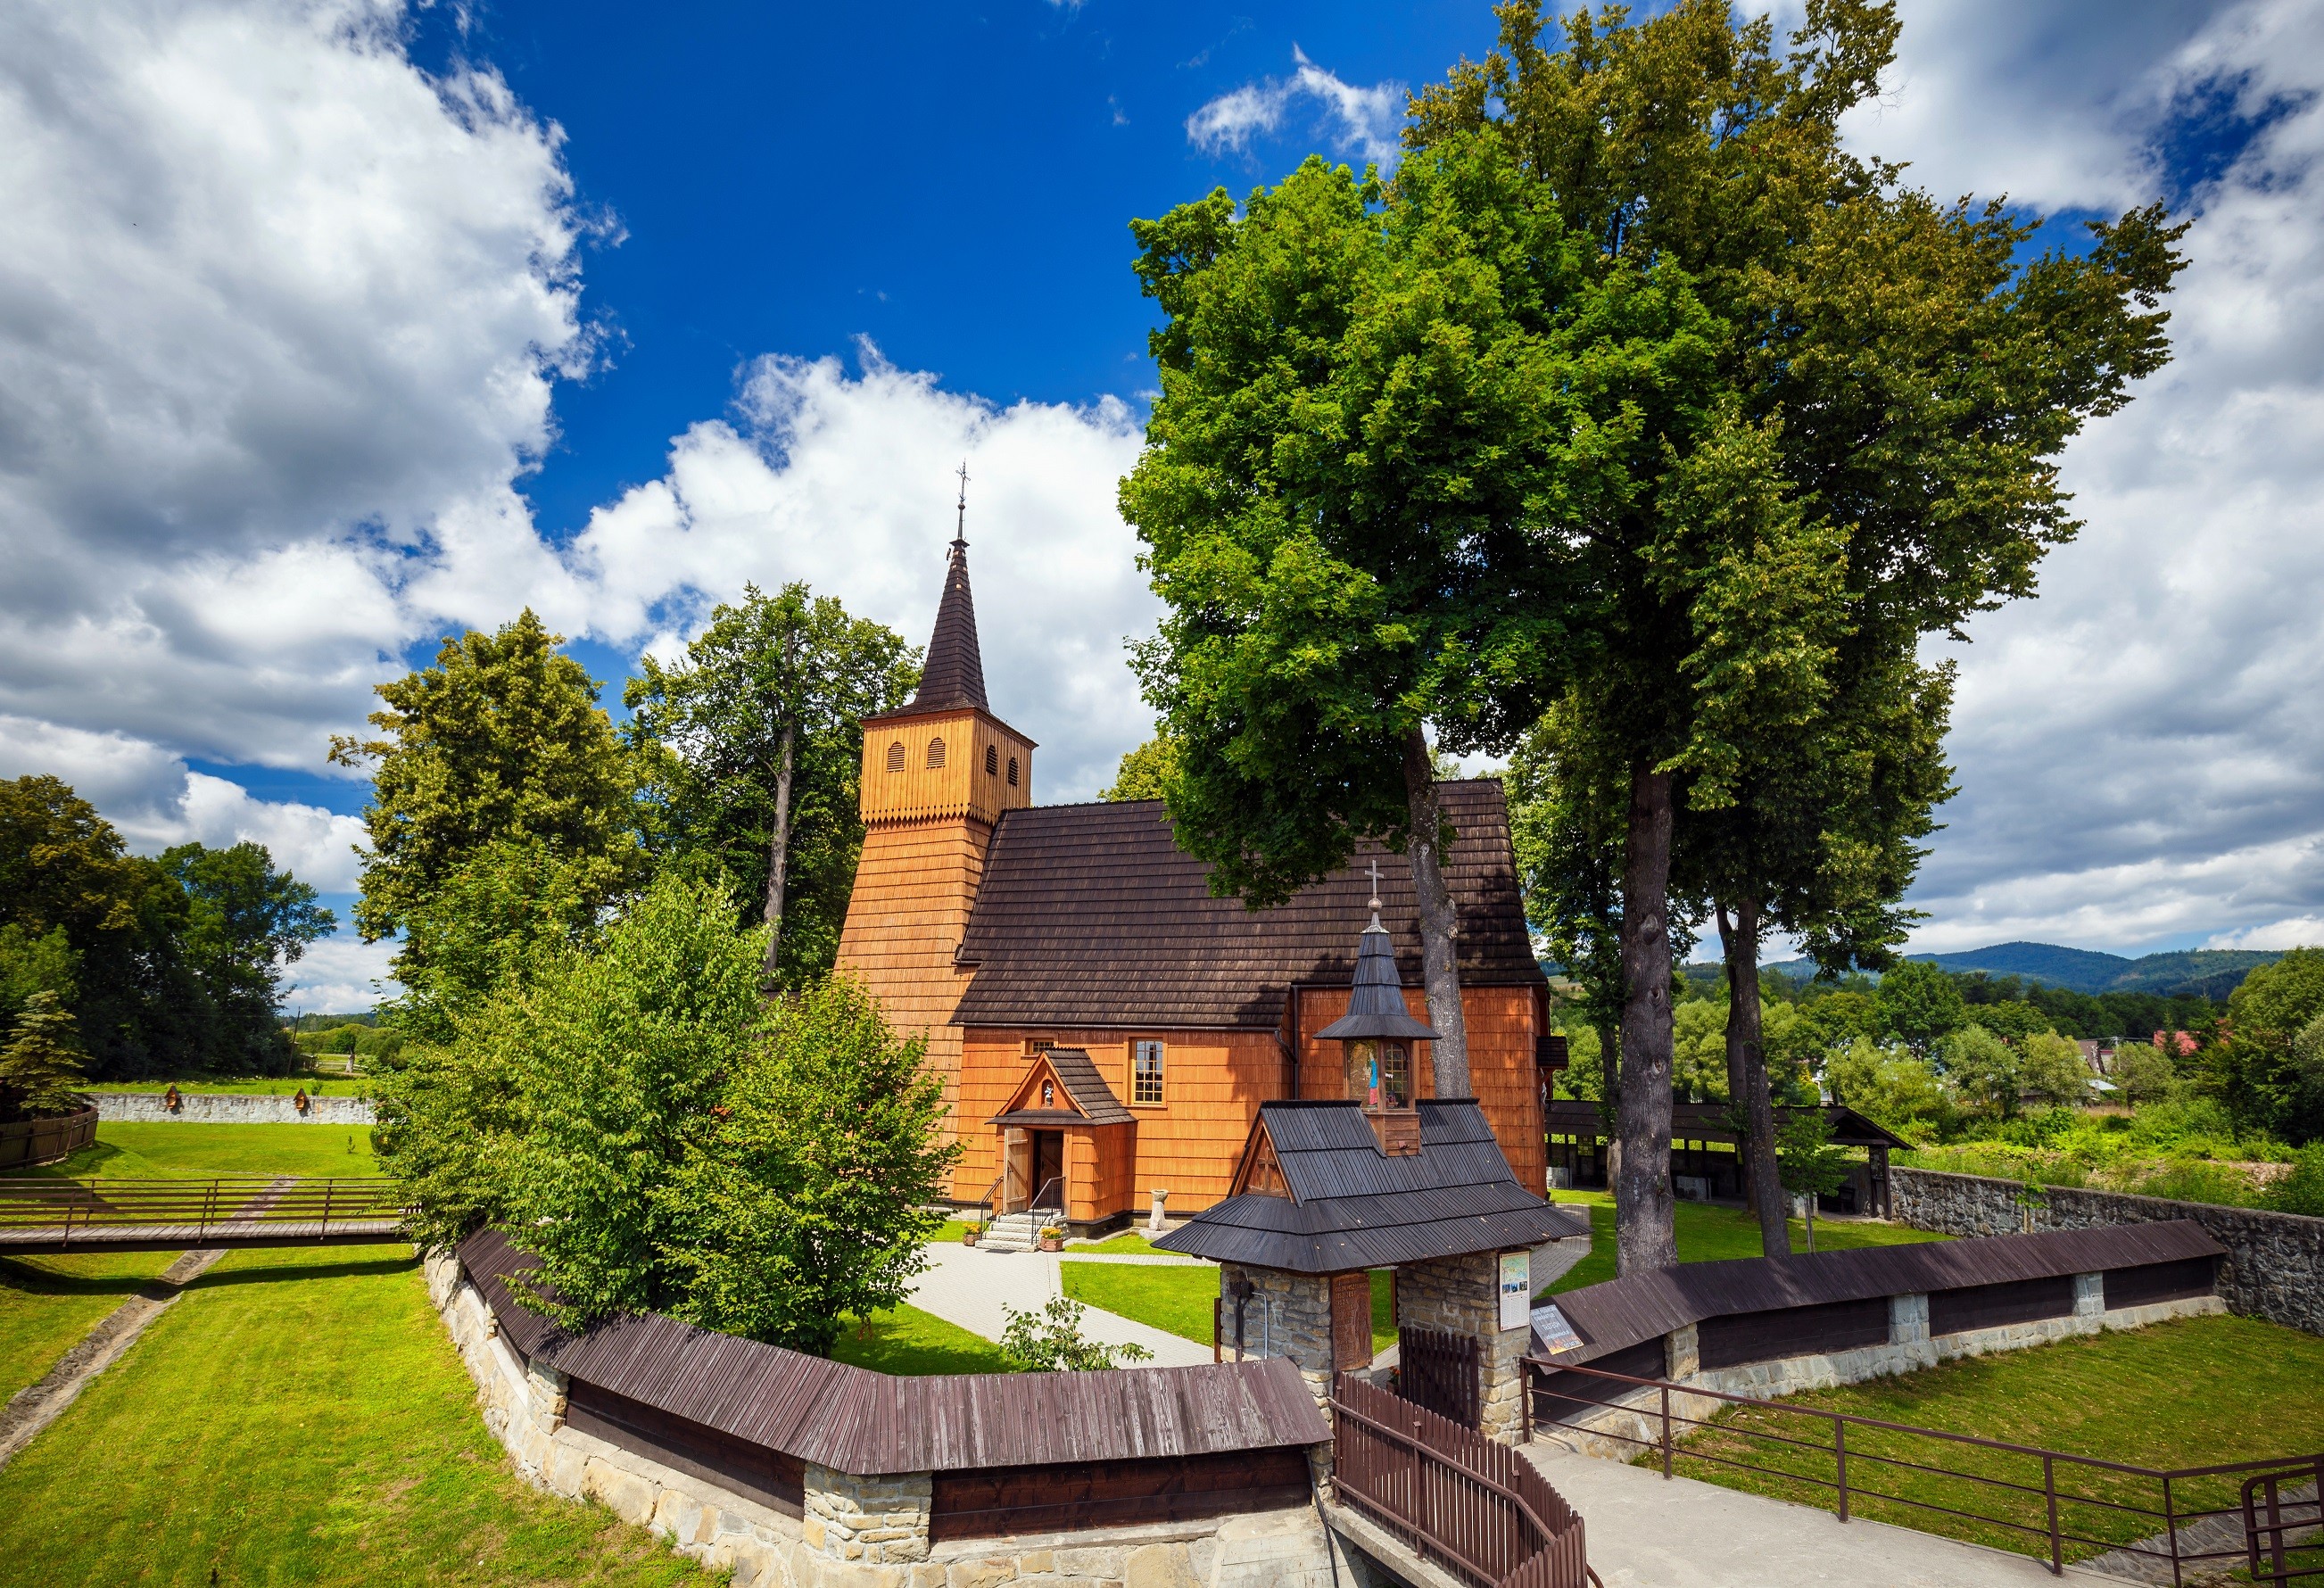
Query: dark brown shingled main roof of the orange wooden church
x,y
1089,915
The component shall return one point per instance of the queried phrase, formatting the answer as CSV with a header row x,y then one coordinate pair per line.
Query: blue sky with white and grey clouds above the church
x,y
336,327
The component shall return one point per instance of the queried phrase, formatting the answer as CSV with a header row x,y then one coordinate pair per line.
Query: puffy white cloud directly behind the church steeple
x,y
847,482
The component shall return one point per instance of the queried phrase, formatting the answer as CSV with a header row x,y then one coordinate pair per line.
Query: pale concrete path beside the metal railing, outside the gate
x,y
1654,1533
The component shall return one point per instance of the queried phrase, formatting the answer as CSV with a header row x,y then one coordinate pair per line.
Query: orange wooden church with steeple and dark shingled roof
x,y
1107,1029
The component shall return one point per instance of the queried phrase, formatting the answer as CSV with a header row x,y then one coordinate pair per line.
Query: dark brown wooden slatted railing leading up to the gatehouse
x,y
1454,1496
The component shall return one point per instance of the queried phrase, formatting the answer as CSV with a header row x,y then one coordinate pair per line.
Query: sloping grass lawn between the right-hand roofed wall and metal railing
x,y
2169,1396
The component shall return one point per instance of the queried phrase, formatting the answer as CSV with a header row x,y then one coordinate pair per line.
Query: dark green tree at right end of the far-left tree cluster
x,y
243,924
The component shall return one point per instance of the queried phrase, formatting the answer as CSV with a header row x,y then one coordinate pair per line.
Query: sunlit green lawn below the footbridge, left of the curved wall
x,y
299,1419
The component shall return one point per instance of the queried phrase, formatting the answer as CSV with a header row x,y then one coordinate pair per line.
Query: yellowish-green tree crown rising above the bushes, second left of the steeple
x,y
503,741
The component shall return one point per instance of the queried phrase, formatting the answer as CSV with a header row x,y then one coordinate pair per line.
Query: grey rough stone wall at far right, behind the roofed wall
x,y
2274,1261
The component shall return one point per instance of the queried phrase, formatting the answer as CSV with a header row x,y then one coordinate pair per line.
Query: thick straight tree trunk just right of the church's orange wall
x,y
1642,1199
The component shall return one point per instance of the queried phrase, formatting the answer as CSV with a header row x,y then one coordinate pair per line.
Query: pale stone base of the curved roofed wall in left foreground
x,y
859,1531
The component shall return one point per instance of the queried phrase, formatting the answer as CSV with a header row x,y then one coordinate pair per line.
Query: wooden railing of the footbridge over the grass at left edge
x,y
238,1208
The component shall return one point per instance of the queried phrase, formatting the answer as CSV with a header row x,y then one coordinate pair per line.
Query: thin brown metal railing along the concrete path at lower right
x,y
2046,1503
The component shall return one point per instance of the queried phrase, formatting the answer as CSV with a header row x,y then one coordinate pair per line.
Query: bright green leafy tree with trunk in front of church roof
x,y
1358,424
